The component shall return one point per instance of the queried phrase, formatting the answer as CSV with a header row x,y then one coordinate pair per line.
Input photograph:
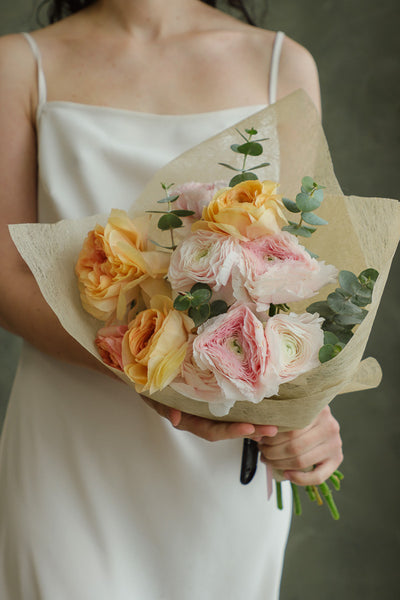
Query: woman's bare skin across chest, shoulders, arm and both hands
x,y
175,57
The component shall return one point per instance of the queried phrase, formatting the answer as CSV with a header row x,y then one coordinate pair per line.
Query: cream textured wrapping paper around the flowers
x,y
362,233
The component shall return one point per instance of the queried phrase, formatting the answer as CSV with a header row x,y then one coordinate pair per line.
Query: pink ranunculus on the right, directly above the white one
x,y
278,269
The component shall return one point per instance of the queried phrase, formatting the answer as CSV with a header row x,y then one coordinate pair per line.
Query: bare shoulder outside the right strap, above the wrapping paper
x,y
297,69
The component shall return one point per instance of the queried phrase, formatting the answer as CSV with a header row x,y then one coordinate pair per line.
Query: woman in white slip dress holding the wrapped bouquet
x,y
99,496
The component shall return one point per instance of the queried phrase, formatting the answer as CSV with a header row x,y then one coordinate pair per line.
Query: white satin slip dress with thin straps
x,y
100,498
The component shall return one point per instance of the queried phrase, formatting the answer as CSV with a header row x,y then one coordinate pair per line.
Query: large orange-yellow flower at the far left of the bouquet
x,y
113,261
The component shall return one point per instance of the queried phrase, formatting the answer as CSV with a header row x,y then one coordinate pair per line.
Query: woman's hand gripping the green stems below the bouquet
x,y
306,456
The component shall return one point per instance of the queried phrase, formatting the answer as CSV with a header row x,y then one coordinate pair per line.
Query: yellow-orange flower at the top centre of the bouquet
x,y
248,210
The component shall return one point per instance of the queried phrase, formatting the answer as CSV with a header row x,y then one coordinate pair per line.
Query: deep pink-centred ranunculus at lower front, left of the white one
x,y
233,346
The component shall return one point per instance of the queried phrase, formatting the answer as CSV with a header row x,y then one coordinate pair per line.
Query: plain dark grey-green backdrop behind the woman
x,y
356,45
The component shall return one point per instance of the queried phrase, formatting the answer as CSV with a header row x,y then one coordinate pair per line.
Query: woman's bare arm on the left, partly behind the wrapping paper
x,y
23,310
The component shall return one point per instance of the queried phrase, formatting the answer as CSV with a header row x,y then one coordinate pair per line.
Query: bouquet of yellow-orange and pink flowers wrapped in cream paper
x,y
217,339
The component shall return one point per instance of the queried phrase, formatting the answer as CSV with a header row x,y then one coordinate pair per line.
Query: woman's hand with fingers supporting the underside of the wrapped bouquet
x,y
209,430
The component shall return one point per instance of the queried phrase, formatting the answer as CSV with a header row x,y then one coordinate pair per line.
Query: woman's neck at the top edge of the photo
x,y
146,19
